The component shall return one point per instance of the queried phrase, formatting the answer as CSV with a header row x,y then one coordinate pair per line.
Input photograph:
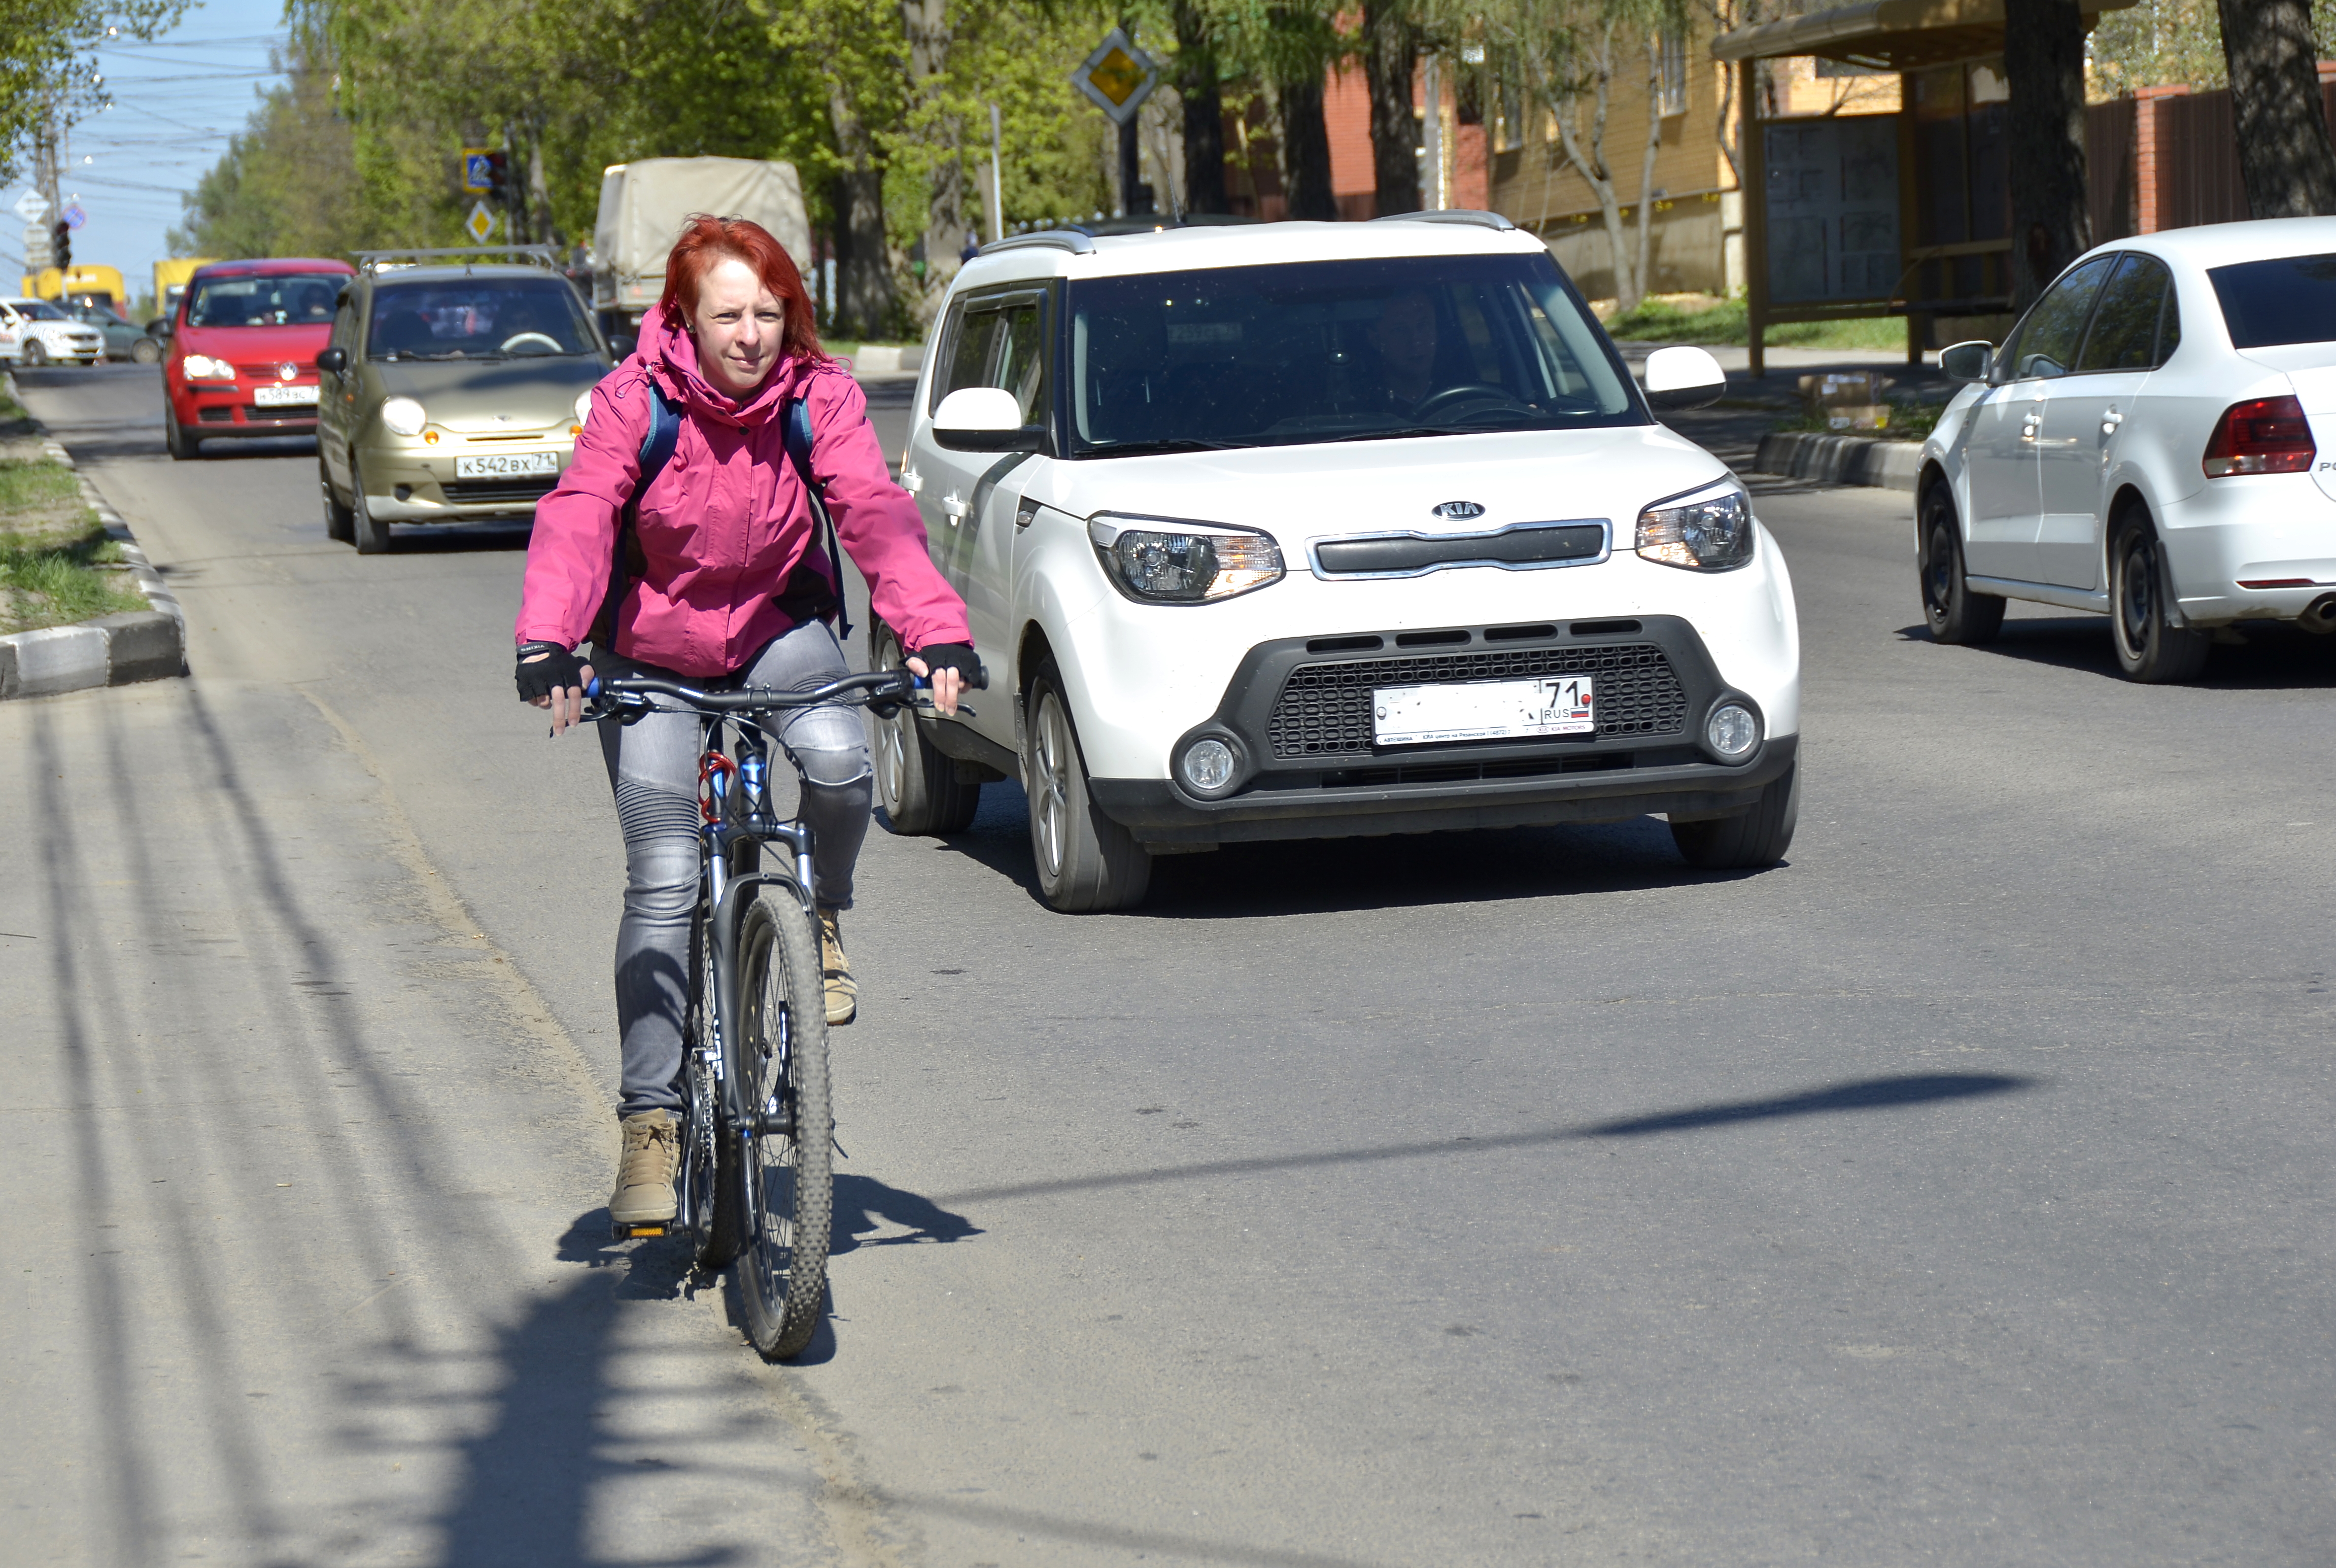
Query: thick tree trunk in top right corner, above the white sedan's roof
x,y
2283,132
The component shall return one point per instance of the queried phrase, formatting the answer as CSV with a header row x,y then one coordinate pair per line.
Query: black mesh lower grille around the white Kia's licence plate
x,y
1326,709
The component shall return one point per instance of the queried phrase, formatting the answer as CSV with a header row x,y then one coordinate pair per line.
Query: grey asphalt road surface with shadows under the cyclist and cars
x,y
1956,1193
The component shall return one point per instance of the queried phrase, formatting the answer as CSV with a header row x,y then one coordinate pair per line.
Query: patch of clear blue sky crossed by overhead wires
x,y
176,104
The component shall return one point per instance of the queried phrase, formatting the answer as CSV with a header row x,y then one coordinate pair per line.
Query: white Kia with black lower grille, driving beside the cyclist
x,y
1333,529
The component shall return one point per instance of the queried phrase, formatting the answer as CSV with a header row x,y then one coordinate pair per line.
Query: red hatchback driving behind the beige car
x,y
244,345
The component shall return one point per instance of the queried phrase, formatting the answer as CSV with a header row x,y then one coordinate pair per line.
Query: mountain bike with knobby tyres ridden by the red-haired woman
x,y
756,1181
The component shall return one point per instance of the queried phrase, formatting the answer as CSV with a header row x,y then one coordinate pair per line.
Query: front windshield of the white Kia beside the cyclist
x,y
1323,352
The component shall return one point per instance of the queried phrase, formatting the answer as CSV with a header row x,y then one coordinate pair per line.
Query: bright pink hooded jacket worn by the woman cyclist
x,y
728,520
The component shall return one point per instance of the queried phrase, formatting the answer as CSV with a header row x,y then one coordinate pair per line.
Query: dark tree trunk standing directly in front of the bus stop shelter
x,y
2045,74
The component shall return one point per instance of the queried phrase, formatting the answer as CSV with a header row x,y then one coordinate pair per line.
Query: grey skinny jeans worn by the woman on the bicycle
x,y
655,772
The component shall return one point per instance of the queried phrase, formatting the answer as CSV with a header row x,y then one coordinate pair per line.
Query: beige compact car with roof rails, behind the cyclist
x,y
452,394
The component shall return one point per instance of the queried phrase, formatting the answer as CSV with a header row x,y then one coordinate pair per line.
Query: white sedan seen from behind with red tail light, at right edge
x,y
2155,440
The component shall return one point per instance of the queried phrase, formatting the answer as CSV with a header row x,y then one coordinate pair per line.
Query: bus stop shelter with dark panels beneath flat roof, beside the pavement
x,y
1865,216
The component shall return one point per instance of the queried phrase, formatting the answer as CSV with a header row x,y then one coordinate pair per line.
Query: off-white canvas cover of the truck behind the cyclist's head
x,y
644,207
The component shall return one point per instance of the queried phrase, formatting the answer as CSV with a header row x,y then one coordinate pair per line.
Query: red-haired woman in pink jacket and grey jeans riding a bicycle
x,y
723,583
